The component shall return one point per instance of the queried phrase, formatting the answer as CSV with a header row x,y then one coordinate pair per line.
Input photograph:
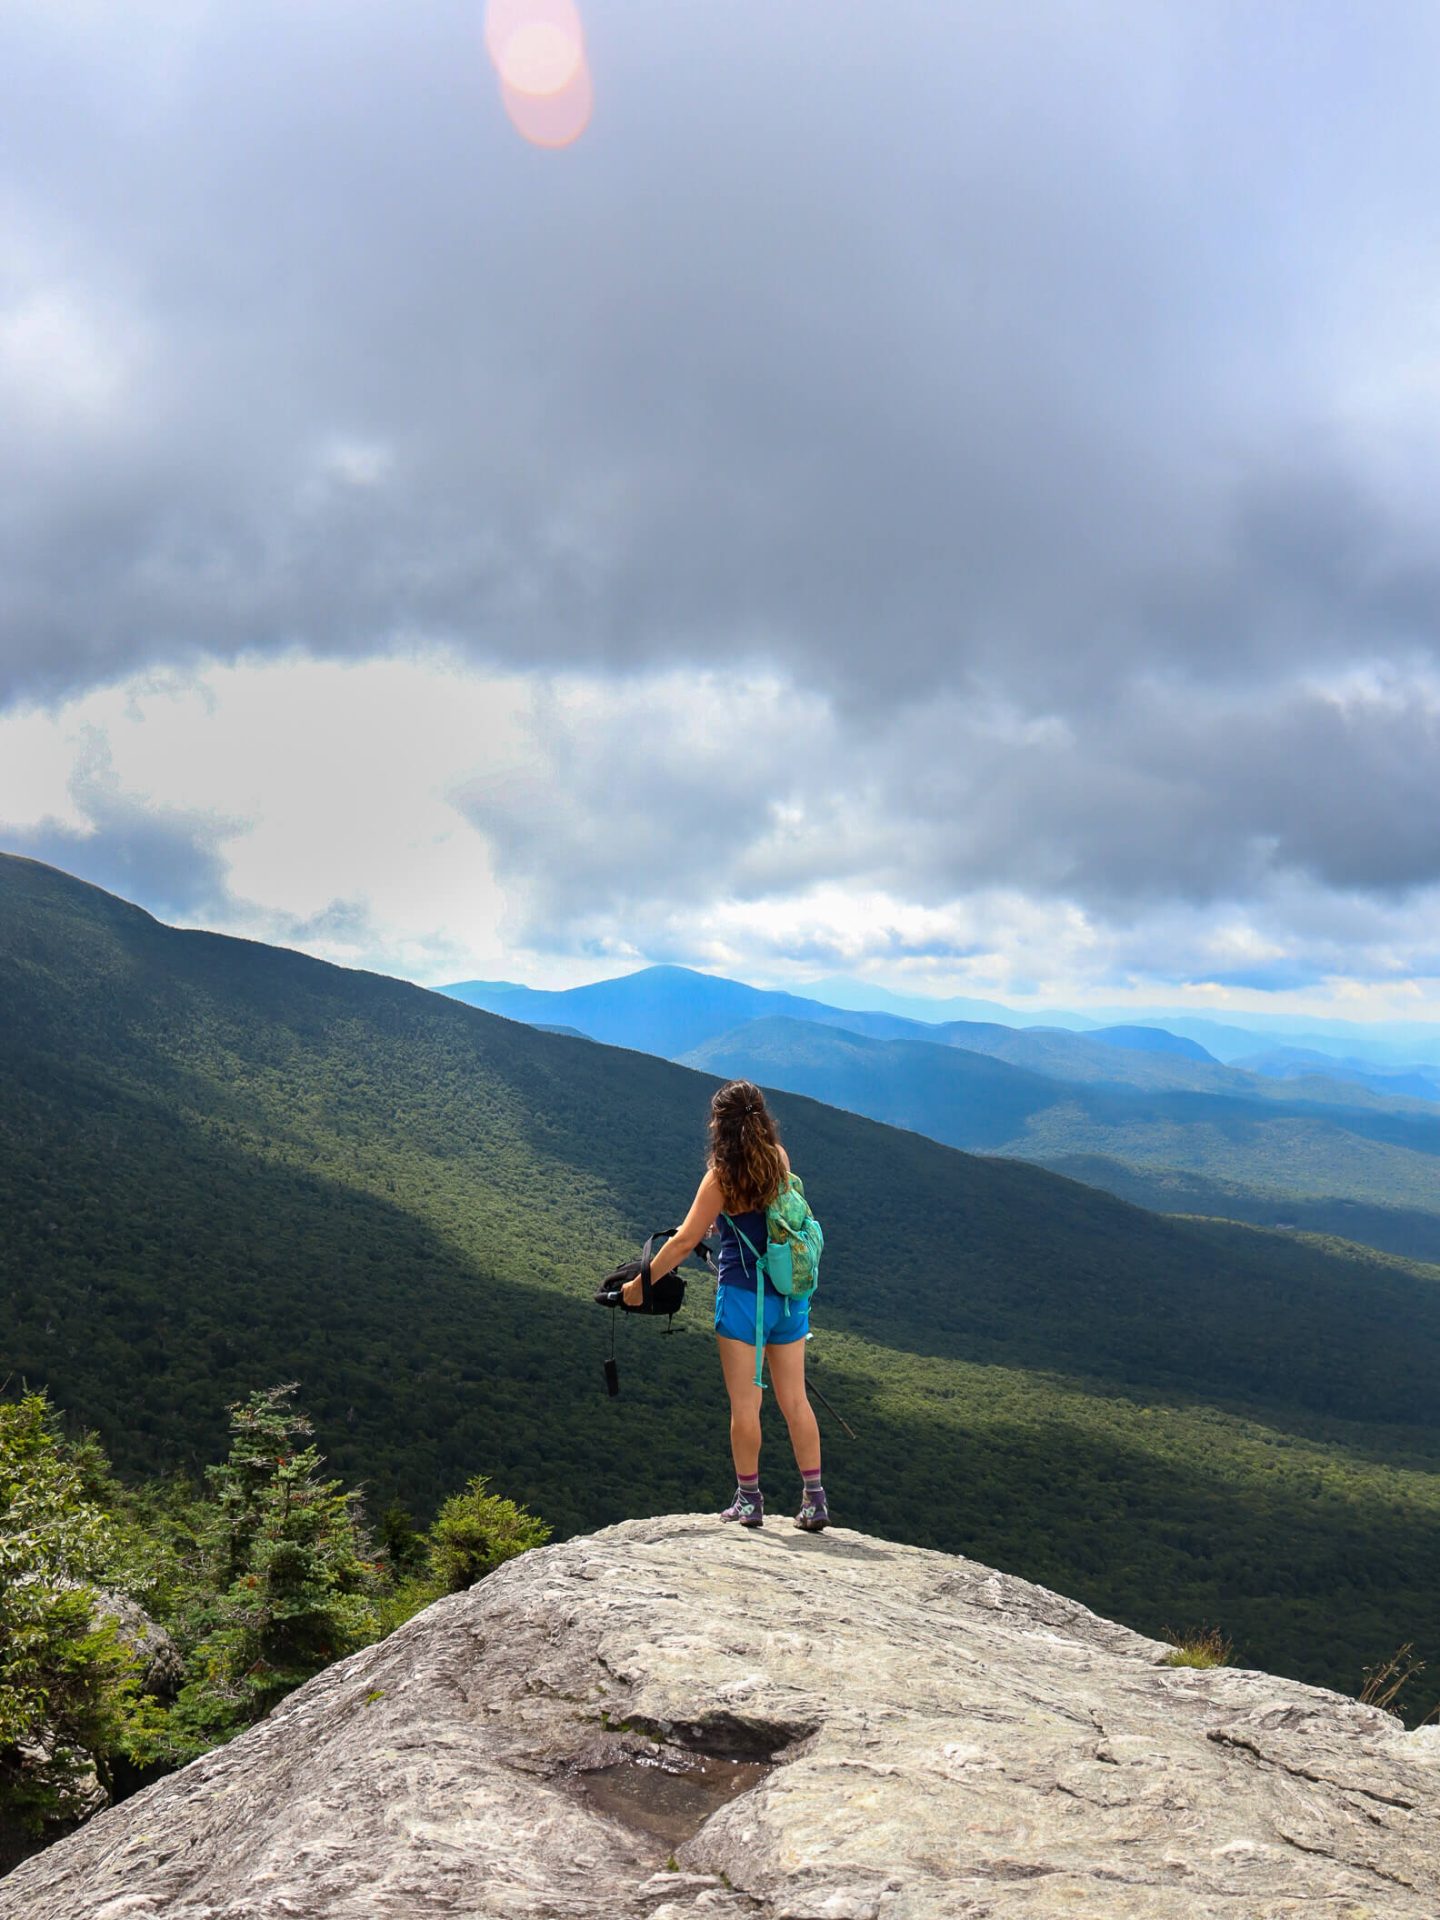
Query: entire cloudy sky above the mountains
x,y
942,494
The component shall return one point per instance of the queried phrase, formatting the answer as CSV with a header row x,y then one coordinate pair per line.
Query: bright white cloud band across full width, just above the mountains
x,y
418,817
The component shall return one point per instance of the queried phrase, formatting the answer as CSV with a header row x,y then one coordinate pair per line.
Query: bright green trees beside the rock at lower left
x,y
249,1585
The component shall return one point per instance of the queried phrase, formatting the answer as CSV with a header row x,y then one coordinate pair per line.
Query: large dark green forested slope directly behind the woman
x,y
226,1164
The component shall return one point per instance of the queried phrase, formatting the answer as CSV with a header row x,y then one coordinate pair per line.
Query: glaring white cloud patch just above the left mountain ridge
x,y
333,779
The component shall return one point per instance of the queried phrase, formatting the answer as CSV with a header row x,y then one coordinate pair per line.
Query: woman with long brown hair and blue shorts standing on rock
x,y
746,1170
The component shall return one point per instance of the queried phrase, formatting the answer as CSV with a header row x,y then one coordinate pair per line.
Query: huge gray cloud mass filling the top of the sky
x,y
890,356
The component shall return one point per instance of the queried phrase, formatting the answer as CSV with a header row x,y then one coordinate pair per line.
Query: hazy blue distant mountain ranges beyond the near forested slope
x,y
1138,1111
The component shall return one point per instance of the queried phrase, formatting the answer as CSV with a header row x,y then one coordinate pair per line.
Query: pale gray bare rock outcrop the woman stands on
x,y
683,1721
